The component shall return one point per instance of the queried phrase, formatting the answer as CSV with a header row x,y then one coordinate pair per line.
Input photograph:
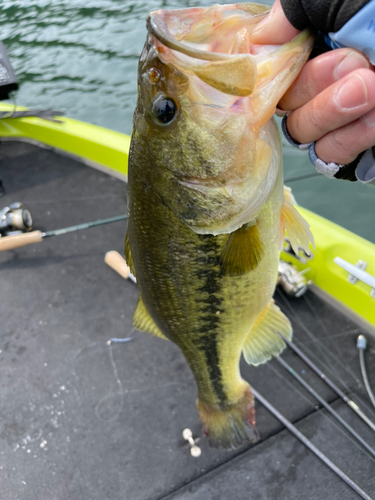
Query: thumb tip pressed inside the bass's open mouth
x,y
275,29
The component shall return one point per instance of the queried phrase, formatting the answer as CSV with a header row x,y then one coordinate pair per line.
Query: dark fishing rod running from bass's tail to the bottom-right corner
x,y
327,461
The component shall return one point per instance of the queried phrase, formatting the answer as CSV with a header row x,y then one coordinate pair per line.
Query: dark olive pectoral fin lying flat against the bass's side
x,y
242,252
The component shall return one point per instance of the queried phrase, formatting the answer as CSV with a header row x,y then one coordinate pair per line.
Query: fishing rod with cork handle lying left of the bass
x,y
21,240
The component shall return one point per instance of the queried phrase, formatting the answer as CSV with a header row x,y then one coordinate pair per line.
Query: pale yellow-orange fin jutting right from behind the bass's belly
x,y
295,225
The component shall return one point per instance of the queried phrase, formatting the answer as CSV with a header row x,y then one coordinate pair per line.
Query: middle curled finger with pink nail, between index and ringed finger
x,y
341,103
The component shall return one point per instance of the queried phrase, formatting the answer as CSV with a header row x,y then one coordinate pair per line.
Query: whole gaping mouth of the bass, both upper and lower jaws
x,y
214,45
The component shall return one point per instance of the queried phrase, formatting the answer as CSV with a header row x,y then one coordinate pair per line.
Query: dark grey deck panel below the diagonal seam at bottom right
x,y
283,468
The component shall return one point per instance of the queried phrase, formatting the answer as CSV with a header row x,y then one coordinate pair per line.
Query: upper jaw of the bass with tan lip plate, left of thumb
x,y
188,33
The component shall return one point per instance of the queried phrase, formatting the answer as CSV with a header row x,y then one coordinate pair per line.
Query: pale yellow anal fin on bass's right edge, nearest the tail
x,y
263,341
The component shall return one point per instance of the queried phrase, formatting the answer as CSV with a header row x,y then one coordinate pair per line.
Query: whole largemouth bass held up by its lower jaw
x,y
207,209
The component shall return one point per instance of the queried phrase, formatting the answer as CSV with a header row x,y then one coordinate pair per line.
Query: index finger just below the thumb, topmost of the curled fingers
x,y
321,72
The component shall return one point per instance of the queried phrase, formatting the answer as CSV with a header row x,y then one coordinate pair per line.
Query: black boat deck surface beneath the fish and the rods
x,y
83,420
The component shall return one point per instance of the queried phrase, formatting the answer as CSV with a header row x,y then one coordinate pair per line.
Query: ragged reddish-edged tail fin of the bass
x,y
232,425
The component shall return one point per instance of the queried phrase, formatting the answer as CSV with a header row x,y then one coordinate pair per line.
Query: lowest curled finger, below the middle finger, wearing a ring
x,y
343,145
